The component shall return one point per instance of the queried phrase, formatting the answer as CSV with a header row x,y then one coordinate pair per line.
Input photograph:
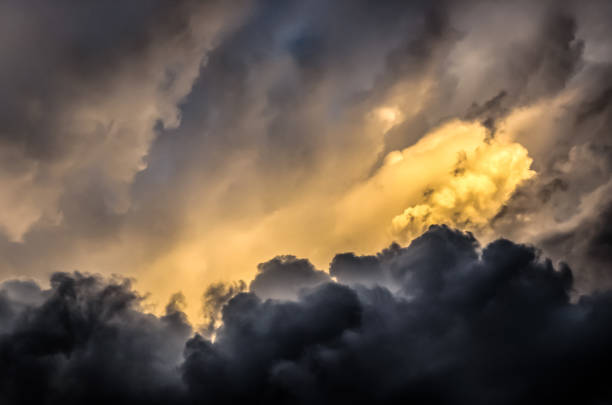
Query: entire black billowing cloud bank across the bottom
x,y
440,321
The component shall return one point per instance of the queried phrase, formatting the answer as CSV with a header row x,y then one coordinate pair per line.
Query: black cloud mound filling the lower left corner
x,y
88,341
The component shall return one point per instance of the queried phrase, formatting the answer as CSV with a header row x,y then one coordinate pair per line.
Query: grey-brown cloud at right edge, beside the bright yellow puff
x,y
567,205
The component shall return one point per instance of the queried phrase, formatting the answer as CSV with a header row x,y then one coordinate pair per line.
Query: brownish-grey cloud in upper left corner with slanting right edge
x,y
82,102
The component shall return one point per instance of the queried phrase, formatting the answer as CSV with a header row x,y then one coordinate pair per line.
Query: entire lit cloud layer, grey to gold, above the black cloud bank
x,y
154,139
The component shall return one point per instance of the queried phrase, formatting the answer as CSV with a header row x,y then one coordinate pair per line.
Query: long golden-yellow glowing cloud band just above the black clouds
x,y
456,175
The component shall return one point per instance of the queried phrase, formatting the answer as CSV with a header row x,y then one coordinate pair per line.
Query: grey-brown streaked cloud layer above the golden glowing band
x,y
268,96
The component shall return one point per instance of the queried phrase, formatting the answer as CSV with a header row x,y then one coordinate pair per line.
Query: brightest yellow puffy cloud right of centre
x,y
466,192
